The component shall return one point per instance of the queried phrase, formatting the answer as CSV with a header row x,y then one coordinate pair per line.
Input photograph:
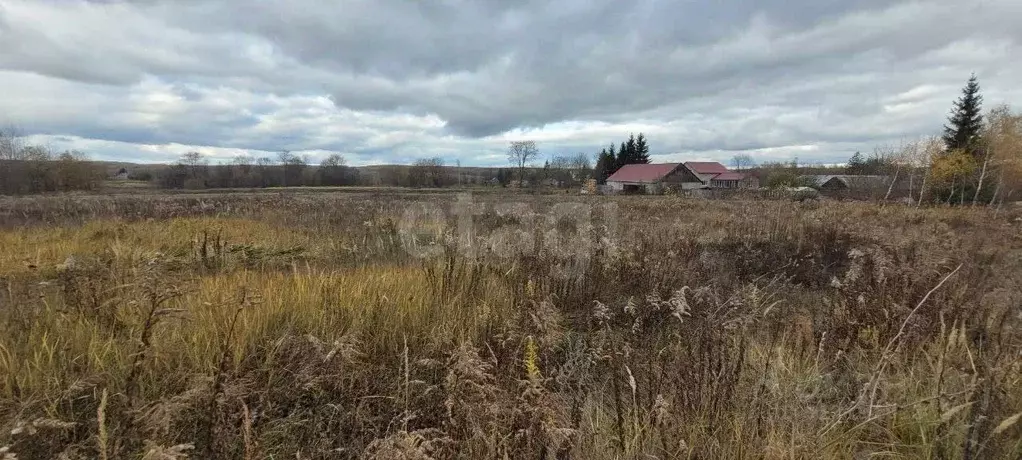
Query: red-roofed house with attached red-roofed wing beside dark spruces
x,y
655,178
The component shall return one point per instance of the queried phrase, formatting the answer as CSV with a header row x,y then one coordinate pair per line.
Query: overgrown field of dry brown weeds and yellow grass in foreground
x,y
389,325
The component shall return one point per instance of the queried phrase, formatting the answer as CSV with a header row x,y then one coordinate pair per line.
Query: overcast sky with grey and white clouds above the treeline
x,y
393,81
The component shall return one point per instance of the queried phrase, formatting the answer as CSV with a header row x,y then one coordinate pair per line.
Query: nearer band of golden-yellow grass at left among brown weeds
x,y
380,306
